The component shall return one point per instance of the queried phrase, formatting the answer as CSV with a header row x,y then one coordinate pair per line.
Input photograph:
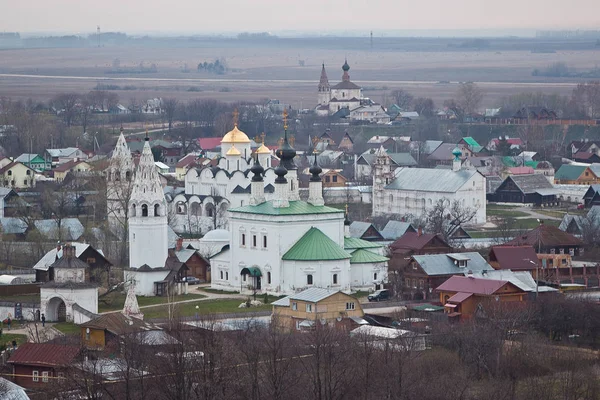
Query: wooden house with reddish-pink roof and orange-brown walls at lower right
x,y
464,297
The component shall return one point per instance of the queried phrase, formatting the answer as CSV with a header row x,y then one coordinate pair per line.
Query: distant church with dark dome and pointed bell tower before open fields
x,y
345,94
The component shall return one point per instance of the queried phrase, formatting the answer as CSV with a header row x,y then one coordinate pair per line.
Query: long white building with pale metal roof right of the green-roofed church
x,y
413,191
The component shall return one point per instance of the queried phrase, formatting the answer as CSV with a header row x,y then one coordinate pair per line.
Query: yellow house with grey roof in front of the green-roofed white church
x,y
304,310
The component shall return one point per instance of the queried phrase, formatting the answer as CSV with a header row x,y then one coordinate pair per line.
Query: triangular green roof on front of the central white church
x,y
315,246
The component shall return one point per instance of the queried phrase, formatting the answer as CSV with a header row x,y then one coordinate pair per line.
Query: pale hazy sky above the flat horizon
x,y
202,16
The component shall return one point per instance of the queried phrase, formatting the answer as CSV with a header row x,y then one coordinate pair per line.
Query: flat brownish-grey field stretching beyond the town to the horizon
x,y
275,72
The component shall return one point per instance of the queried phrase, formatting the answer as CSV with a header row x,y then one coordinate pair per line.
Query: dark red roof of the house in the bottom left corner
x,y
44,354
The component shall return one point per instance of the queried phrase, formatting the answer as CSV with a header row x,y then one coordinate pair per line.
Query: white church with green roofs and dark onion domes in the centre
x,y
285,245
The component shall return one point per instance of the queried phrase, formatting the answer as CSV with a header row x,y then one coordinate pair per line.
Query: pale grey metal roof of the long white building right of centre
x,y
430,180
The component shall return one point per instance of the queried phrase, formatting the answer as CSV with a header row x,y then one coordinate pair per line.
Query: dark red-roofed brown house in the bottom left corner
x,y
34,365
